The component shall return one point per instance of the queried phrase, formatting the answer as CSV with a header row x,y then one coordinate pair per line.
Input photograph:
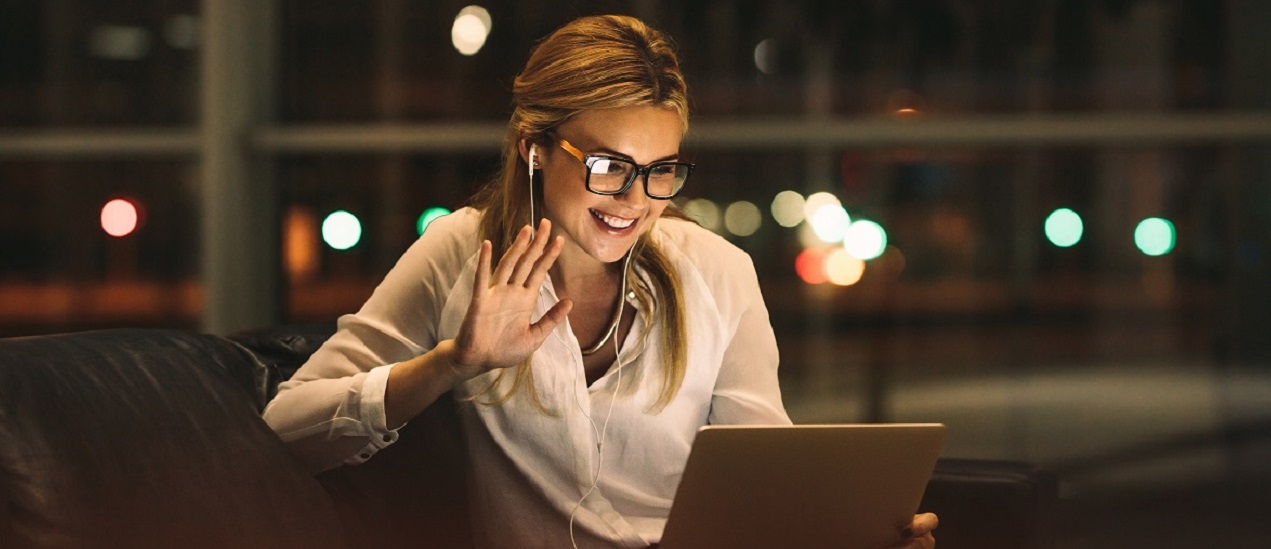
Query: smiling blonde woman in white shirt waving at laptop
x,y
570,342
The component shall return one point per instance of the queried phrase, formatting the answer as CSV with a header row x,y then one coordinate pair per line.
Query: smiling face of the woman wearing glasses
x,y
606,227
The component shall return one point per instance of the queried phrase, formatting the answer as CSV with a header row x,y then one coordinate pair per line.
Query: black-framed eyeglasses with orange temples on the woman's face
x,y
615,176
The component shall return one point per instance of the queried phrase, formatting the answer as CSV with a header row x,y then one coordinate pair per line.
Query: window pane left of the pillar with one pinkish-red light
x,y
99,245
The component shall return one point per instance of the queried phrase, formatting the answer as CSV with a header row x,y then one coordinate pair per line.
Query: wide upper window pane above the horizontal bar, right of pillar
x,y
373,60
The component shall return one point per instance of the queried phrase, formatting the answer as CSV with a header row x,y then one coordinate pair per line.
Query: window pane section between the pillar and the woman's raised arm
x,y
332,271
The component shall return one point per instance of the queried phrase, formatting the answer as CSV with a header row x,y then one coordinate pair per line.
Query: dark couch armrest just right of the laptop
x,y
991,505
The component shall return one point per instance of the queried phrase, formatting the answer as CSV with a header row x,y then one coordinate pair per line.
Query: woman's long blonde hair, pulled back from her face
x,y
594,63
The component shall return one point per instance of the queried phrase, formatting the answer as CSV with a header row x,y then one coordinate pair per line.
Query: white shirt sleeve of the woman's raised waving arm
x,y
331,412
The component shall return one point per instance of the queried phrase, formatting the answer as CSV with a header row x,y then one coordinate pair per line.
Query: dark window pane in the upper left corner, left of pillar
x,y
83,63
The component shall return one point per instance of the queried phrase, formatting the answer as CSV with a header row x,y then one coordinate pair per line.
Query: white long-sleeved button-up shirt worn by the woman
x,y
529,468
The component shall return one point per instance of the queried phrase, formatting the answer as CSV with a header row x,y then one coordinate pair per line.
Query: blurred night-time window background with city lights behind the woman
x,y
1045,224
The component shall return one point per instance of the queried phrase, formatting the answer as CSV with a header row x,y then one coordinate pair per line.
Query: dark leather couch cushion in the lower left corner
x,y
146,439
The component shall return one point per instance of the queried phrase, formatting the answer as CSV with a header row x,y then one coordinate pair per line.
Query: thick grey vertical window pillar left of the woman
x,y
241,266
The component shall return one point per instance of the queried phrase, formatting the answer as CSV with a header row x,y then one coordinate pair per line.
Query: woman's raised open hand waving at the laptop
x,y
498,331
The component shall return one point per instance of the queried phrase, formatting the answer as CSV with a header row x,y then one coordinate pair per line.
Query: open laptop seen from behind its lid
x,y
831,486
